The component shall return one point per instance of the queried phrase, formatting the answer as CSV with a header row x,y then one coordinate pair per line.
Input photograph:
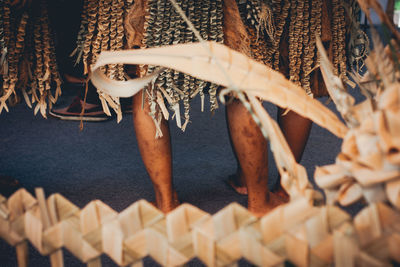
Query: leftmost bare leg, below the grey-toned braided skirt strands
x,y
156,154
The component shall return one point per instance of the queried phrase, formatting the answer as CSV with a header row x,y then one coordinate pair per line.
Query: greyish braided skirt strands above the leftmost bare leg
x,y
164,26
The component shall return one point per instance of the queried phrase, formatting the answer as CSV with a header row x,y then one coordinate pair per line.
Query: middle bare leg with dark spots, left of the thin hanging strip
x,y
252,154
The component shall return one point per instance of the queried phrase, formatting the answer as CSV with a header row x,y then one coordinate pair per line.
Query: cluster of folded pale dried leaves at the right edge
x,y
368,166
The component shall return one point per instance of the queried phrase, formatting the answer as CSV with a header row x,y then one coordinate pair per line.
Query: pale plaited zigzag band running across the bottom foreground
x,y
298,232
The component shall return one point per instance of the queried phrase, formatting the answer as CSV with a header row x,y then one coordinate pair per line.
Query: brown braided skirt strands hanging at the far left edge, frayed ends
x,y
28,57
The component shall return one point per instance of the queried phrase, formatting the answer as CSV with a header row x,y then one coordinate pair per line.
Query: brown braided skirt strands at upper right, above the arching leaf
x,y
296,22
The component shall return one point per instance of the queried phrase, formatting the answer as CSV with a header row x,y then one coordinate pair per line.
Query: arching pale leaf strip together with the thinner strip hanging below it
x,y
240,75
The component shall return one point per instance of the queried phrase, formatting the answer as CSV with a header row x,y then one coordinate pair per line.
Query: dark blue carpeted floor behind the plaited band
x,y
103,162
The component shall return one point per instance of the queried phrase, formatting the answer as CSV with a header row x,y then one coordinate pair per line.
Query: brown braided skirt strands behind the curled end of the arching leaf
x,y
103,28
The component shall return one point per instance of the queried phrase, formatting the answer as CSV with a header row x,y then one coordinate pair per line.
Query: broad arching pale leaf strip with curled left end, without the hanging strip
x,y
254,78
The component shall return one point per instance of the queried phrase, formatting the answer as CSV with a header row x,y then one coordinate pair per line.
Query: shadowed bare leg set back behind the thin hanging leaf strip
x,y
296,130
